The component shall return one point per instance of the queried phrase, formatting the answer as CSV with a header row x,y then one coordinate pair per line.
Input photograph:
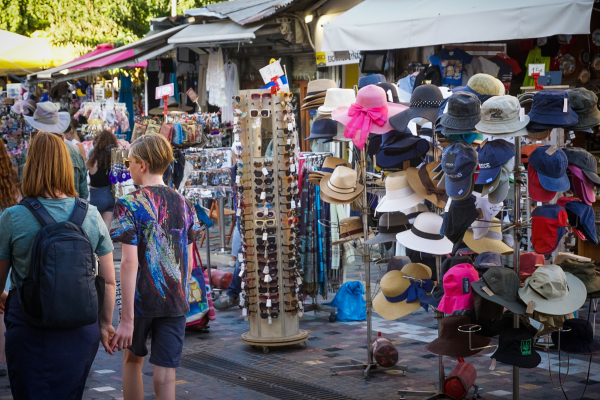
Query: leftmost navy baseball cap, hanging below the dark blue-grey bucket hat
x,y
459,162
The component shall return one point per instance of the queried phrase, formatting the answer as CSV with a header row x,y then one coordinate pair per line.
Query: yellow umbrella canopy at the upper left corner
x,y
35,54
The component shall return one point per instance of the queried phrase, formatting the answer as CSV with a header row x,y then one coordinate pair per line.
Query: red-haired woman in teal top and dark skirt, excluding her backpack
x,y
48,363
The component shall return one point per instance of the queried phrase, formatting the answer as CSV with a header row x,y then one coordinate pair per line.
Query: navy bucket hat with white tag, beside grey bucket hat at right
x,y
551,107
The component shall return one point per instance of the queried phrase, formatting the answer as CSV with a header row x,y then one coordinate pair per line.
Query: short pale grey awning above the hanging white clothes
x,y
216,32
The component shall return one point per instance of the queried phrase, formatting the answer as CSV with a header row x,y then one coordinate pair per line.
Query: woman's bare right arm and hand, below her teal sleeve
x,y
106,270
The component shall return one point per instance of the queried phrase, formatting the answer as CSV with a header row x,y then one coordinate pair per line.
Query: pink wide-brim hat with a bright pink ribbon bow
x,y
369,114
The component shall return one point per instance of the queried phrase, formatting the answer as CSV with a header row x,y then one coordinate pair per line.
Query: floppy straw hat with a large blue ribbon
x,y
401,291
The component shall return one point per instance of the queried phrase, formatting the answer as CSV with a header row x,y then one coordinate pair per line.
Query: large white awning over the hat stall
x,y
395,24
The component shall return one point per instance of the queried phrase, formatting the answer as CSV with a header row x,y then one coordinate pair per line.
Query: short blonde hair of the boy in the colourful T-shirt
x,y
154,150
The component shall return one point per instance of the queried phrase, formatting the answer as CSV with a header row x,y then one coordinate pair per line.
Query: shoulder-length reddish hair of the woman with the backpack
x,y
48,168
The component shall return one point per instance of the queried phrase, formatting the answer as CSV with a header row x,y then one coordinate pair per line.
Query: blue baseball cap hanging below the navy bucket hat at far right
x,y
551,169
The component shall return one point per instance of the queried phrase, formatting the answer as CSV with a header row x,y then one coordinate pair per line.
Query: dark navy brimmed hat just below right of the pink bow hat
x,y
398,147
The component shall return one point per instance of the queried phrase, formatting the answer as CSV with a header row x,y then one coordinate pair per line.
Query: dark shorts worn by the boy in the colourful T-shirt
x,y
167,339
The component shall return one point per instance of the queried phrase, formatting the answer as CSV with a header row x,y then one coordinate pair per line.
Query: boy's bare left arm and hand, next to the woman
x,y
129,267
